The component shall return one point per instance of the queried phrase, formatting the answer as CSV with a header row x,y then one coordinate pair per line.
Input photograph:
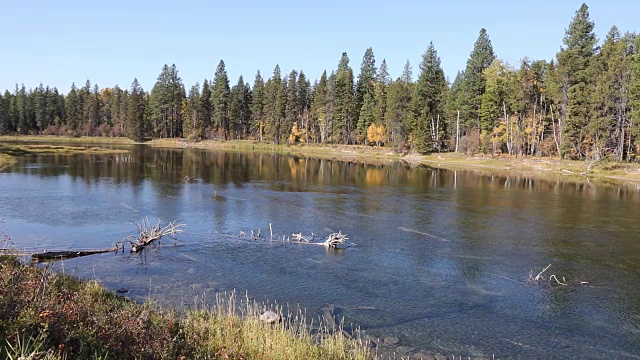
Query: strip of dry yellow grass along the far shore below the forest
x,y
538,167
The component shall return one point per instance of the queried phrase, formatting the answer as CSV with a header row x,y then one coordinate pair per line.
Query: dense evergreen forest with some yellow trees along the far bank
x,y
584,103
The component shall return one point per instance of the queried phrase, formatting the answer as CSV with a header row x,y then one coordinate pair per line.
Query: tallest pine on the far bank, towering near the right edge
x,y
574,66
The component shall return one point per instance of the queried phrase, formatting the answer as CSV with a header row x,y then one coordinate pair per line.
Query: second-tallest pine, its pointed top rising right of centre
x,y
474,81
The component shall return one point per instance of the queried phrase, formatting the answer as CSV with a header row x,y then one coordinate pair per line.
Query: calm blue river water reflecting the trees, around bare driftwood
x,y
440,258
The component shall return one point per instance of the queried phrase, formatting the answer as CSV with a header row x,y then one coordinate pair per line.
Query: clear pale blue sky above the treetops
x,y
111,42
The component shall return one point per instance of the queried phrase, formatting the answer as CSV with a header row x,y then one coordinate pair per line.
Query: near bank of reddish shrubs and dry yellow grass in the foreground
x,y
46,315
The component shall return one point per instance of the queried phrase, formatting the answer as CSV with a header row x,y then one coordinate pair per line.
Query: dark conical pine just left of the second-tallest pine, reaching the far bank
x,y
428,118
